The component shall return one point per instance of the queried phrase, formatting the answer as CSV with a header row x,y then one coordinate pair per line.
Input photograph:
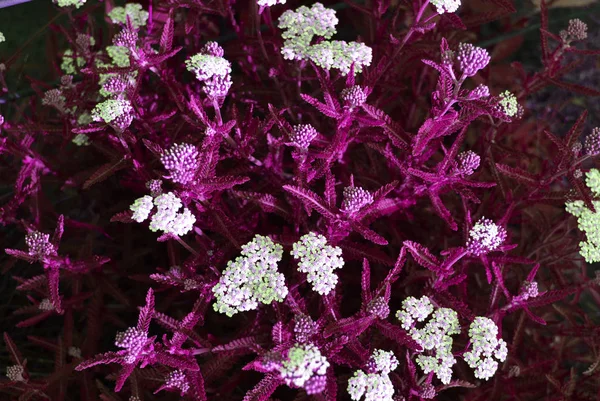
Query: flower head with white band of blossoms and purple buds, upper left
x,y
212,69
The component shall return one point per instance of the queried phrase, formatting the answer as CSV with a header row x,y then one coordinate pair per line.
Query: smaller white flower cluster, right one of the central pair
x,y
318,260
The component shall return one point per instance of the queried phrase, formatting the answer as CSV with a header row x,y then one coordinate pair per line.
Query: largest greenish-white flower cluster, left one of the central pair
x,y
251,278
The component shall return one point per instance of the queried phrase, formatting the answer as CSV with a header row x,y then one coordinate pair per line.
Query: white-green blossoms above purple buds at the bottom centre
x,y
304,361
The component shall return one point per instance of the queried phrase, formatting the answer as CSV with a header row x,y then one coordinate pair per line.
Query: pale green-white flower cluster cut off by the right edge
x,y
588,221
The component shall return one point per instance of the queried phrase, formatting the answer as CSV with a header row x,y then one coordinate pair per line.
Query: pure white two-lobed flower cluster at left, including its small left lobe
x,y
167,217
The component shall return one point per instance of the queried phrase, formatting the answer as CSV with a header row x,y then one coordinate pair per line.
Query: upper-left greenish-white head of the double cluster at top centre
x,y
302,25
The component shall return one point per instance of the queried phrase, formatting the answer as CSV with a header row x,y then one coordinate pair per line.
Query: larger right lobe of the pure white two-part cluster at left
x,y
167,217
